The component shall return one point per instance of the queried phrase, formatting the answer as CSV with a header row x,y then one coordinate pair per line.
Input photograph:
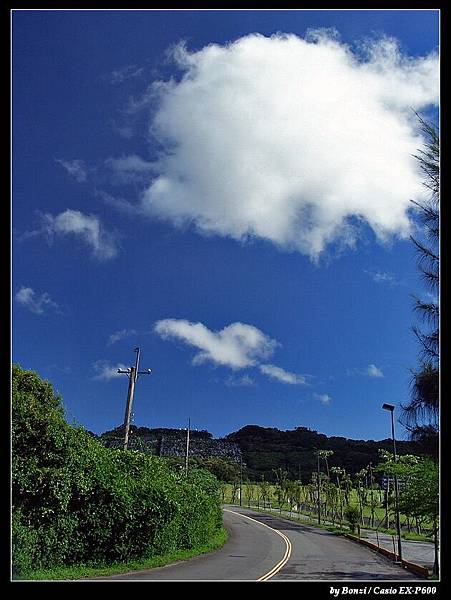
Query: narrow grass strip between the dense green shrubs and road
x,y
87,571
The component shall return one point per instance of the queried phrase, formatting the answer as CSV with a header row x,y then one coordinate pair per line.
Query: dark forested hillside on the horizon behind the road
x,y
262,449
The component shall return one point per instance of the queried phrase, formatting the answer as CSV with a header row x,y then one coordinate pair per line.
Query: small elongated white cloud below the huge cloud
x,y
237,346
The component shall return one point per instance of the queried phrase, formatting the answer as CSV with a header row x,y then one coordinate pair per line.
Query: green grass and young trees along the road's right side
x,y
345,502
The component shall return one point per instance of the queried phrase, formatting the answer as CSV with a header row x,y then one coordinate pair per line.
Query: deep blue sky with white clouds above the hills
x,y
236,205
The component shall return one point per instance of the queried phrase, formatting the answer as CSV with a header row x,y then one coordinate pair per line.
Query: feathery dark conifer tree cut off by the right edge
x,y
421,413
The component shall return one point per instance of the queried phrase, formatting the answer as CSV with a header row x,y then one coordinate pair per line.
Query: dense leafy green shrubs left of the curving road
x,y
75,501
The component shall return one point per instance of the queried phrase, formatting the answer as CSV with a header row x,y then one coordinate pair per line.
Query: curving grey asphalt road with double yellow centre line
x,y
263,547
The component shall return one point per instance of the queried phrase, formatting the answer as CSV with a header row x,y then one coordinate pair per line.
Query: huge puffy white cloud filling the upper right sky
x,y
295,141
